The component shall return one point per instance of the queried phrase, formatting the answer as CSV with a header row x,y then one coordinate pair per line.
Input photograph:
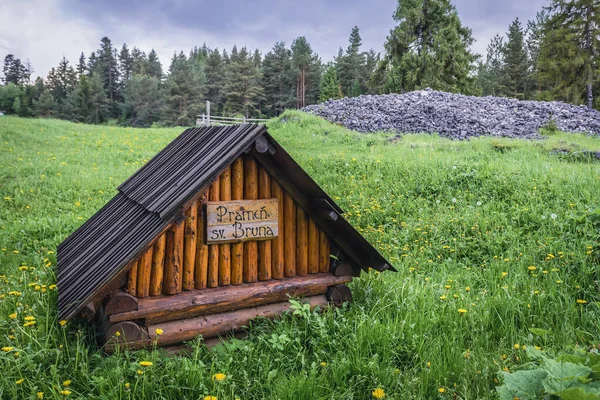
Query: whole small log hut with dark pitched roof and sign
x,y
220,227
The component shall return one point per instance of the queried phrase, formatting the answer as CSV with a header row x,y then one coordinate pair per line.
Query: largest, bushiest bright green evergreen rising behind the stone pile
x,y
430,48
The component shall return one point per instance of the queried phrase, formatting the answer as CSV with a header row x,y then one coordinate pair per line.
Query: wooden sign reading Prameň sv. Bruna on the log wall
x,y
241,220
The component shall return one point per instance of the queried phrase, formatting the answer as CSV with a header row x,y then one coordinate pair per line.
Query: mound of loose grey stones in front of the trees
x,y
456,116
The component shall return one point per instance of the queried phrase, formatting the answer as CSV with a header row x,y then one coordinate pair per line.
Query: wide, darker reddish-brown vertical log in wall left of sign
x,y
174,259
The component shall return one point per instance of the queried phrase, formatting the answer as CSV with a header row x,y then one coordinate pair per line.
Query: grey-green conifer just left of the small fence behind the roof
x,y
183,93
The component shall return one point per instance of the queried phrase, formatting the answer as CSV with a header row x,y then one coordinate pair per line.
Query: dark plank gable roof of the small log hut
x,y
155,195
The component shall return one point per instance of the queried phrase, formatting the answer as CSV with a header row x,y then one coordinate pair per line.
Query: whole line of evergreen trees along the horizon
x,y
550,58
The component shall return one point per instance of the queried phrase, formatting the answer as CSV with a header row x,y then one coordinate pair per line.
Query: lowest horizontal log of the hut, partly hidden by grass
x,y
219,324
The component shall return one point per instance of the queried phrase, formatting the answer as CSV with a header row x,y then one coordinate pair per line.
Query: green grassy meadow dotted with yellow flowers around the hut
x,y
462,220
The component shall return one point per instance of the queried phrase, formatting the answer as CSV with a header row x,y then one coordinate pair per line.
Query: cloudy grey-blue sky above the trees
x,y
45,30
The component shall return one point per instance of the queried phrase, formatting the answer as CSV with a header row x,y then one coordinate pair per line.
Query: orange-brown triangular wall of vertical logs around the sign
x,y
180,260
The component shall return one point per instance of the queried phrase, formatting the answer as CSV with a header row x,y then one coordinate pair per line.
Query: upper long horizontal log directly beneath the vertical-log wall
x,y
229,298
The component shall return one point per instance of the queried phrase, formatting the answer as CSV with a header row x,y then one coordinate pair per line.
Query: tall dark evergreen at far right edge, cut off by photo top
x,y
567,59
